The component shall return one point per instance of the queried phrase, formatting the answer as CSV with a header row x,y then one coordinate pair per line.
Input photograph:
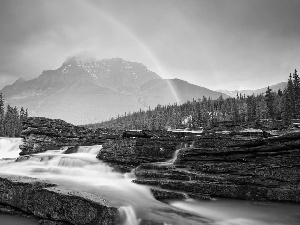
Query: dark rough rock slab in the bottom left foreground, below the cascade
x,y
49,201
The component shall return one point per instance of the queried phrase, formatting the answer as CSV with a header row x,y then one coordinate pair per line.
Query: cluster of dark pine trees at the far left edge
x,y
10,119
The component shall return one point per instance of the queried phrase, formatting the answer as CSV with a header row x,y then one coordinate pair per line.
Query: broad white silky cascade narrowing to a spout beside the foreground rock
x,y
82,171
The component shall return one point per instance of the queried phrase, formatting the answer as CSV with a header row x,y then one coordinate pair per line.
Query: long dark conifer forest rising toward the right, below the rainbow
x,y
283,105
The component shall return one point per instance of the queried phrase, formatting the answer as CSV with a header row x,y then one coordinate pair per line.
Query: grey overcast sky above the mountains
x,y
218,44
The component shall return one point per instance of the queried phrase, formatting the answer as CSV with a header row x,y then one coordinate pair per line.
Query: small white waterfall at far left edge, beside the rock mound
x,y
9,147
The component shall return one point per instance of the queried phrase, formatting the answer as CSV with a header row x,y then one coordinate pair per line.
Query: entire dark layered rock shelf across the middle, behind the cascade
x,y
231,165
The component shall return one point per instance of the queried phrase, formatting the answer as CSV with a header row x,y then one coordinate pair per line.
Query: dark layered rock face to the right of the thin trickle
x,y
262,169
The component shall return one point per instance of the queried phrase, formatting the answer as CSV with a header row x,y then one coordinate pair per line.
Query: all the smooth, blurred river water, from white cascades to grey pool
x,y
82,171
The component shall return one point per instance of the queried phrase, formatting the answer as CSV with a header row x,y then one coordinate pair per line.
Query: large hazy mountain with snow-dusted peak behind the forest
x,y
84,91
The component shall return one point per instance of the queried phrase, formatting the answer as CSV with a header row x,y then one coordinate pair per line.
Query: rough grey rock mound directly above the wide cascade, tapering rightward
x,y
41,134
